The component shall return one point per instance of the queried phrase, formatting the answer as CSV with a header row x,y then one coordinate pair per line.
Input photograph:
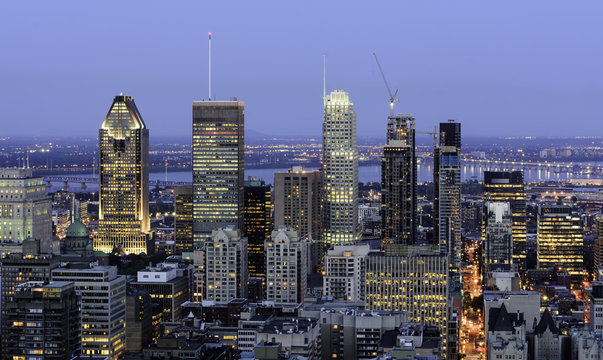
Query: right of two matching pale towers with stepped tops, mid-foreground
x,y
286,271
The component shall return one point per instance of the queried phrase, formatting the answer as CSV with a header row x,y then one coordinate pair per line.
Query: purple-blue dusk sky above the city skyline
x,y
501,68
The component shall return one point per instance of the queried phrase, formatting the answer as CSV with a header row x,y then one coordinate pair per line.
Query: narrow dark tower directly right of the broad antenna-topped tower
x,y
258,224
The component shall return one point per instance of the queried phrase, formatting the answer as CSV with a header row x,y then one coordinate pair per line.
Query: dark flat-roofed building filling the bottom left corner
x,y
44,322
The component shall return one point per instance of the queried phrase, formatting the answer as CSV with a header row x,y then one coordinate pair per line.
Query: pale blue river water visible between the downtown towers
x,y
367,173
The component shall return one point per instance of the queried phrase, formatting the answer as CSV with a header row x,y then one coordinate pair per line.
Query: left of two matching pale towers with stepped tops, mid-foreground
x,y
226,270
